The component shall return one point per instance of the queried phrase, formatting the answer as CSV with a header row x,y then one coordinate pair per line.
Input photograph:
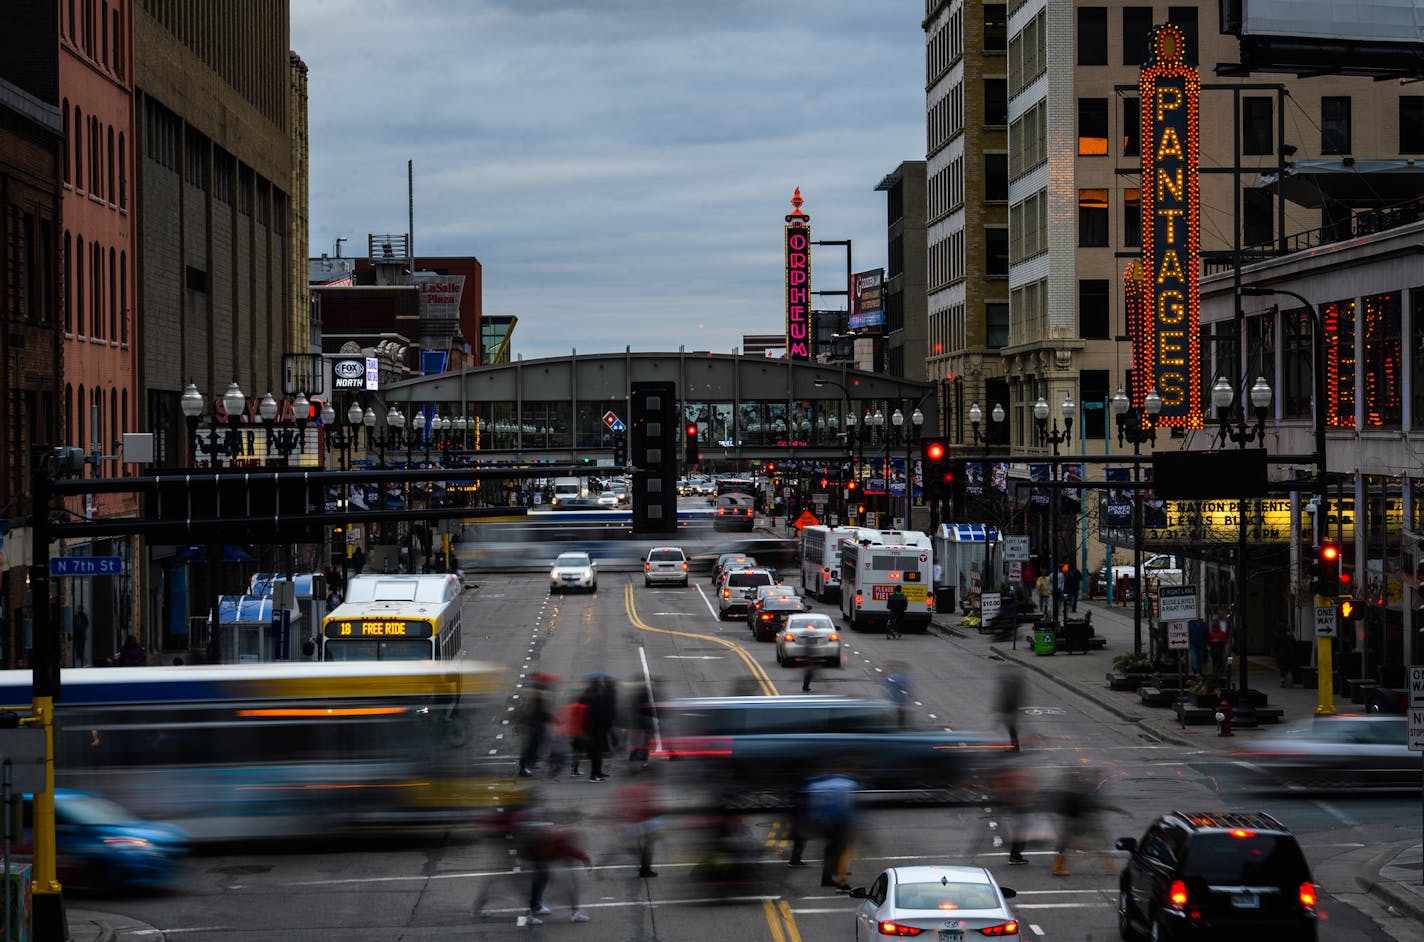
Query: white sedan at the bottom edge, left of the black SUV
x,y
945,903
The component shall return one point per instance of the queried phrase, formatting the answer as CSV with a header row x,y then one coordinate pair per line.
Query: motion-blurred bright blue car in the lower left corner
x,y
105,847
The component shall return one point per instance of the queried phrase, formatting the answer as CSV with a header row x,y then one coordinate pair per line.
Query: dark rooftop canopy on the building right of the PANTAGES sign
x,y
1356,184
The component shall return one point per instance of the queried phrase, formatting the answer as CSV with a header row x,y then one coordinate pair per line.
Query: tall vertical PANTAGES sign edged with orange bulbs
x,y
1167,345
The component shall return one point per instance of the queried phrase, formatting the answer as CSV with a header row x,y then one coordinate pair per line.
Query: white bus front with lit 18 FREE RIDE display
x,y
395,618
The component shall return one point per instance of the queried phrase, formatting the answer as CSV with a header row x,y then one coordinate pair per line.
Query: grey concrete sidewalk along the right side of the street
x,y
1391,876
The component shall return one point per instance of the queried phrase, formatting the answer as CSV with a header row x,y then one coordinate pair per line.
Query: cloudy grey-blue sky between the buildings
x,y
622,169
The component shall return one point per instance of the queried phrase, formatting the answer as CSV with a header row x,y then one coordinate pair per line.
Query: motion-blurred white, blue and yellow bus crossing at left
x,y
278,751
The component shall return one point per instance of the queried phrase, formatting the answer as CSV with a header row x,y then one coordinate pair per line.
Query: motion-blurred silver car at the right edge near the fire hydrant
x,y
1338,752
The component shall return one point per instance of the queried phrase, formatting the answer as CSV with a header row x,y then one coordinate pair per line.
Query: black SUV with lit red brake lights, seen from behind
x,y
1211,876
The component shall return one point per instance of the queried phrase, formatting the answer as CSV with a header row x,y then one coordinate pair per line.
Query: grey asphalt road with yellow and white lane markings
x,y
426,887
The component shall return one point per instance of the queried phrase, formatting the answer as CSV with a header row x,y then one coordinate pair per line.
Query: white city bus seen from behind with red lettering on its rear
x,y
874,563
